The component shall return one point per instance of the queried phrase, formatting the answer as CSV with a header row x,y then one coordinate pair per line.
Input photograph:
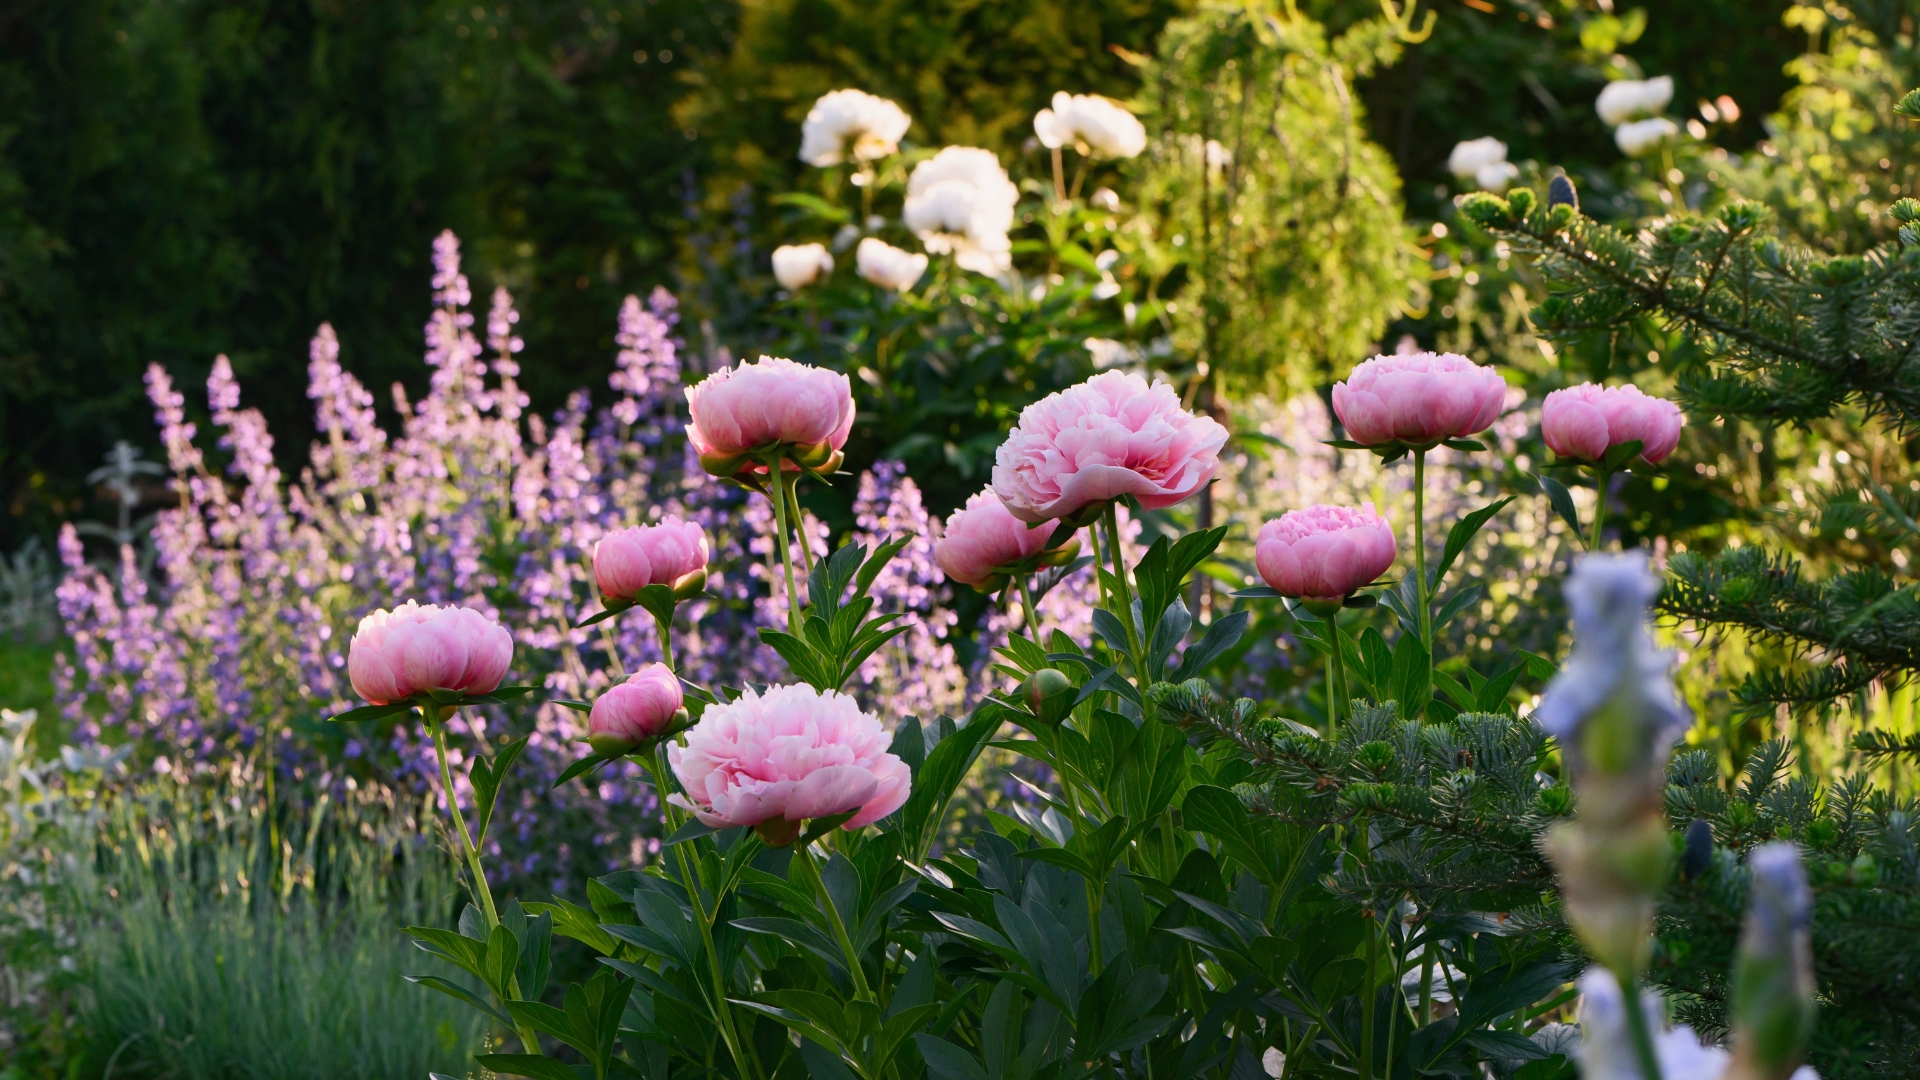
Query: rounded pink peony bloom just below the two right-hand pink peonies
x,y
1324,552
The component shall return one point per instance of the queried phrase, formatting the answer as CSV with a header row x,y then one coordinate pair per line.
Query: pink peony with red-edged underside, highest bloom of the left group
x,y
771,403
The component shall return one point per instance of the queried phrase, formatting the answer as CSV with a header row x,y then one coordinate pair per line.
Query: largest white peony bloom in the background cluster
x,y
961,201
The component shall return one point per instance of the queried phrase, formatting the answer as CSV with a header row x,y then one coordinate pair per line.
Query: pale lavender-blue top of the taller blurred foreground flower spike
x,y
1614,660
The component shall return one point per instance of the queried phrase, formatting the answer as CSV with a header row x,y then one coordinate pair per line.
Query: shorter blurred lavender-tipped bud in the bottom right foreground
x,y
1773,973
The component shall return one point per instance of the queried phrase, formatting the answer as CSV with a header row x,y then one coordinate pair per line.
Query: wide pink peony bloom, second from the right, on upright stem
x,y
1420,399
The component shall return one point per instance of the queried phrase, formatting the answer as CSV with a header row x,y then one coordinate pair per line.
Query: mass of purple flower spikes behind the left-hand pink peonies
x,y
243,627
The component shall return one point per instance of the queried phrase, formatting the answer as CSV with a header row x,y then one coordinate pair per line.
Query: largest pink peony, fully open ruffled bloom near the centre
x,y
1109,437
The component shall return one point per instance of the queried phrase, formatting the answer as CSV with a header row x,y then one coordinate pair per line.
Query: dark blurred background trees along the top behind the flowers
x,y
189,178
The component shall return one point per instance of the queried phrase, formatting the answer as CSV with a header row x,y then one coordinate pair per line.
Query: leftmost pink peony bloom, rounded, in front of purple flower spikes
x,y
414,649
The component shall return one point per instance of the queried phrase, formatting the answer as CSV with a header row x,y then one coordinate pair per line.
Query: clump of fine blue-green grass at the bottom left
x,y
231,946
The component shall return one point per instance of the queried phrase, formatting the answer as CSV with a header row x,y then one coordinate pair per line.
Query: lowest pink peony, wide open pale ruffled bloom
x,y
786,756
